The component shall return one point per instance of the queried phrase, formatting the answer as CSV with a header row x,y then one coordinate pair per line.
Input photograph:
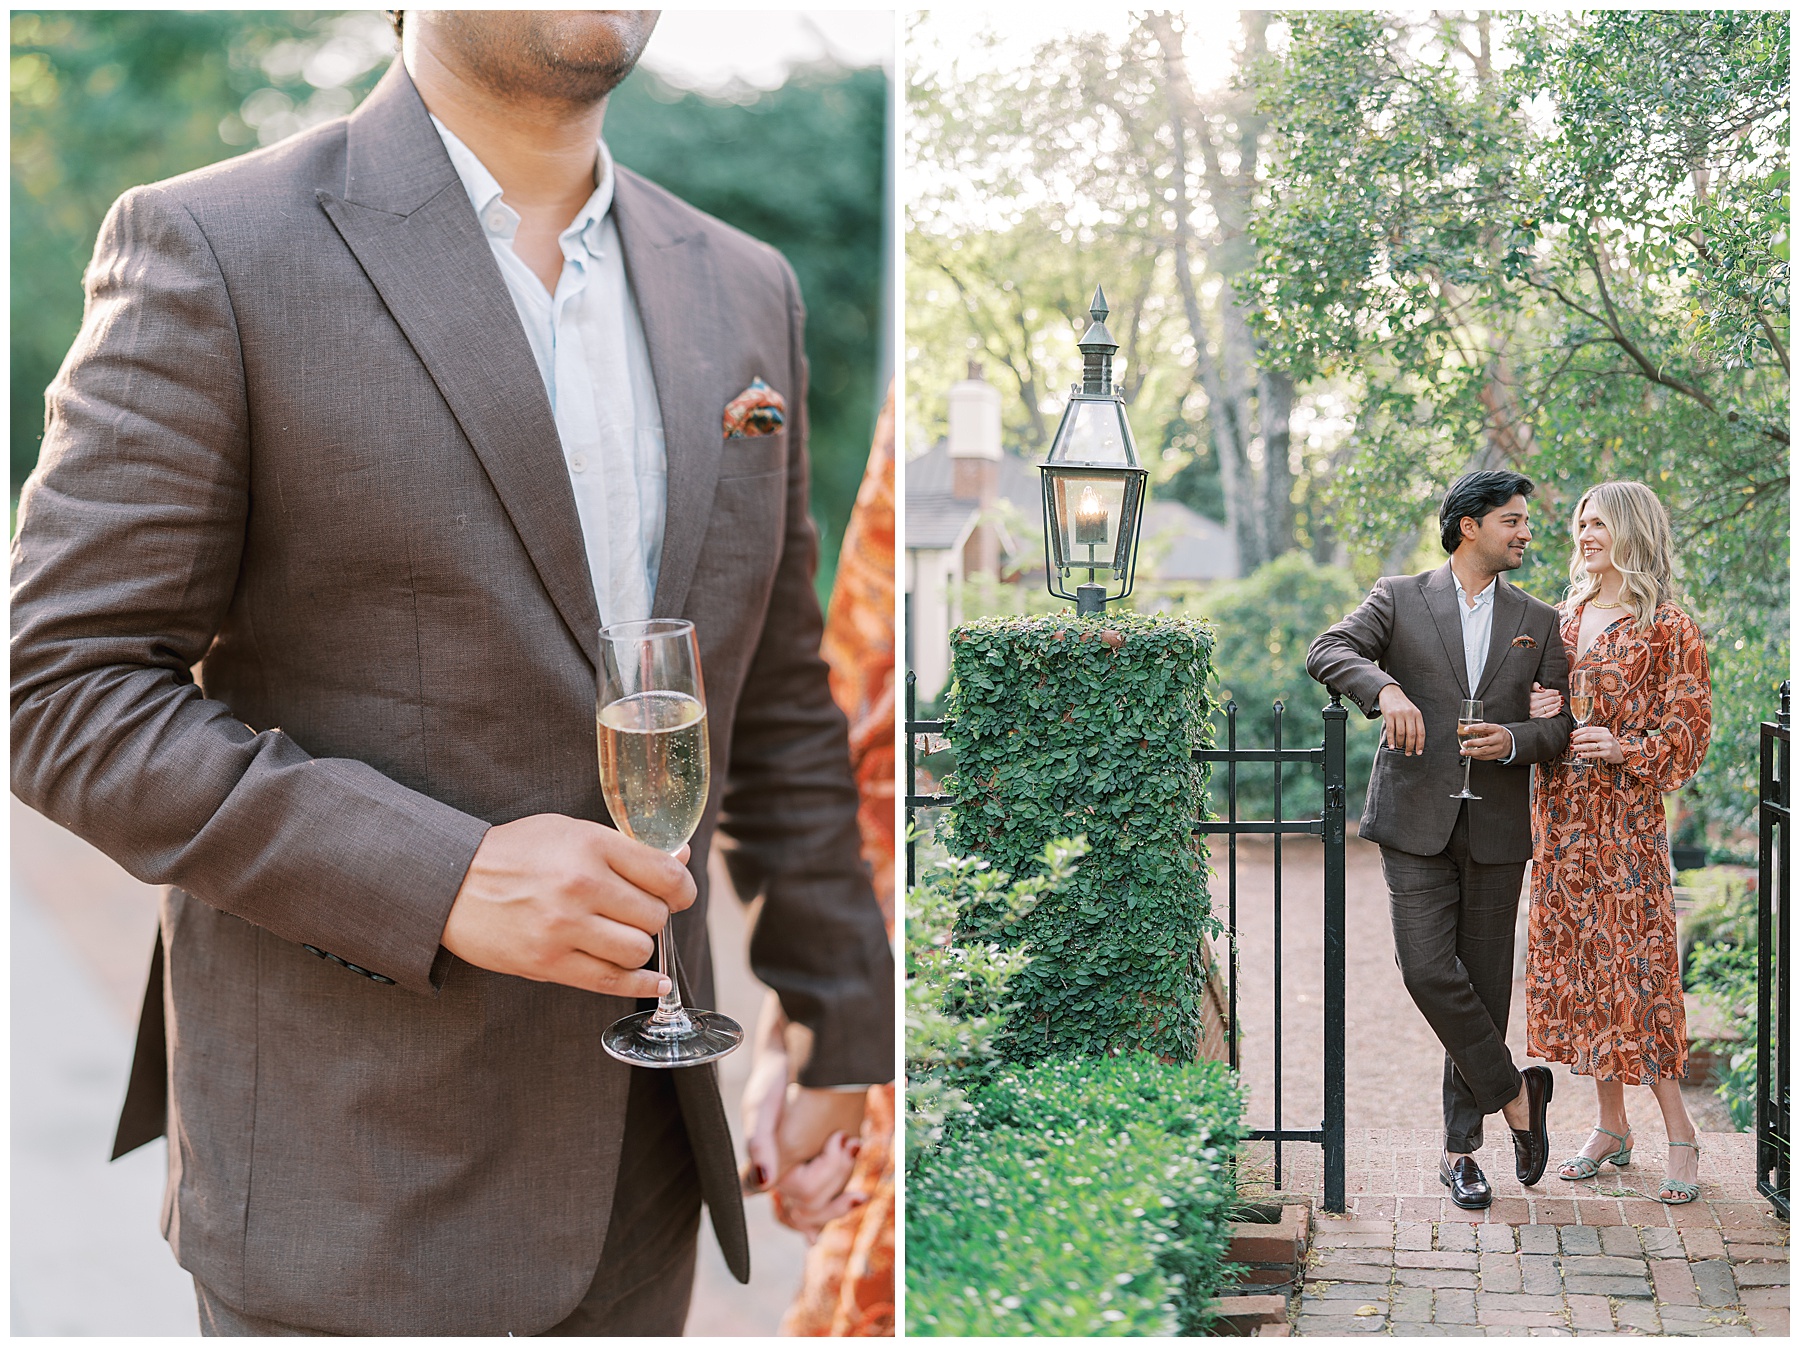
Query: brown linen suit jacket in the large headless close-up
x,y
301,449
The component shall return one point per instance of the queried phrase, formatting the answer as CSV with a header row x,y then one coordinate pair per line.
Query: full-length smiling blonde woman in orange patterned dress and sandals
x,y
1603,964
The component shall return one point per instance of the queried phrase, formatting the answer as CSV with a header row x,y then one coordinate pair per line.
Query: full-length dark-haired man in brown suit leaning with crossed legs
x,y
1412,653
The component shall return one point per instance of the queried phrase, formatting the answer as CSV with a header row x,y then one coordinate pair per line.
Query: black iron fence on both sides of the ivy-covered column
x,y
1329,826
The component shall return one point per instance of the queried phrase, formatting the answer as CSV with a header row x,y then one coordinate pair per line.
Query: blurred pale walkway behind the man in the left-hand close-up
x,y
87,1258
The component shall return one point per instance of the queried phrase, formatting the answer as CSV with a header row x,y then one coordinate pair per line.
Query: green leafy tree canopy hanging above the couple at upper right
x,y
1556,244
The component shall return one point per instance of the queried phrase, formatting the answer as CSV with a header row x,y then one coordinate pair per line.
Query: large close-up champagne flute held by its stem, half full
x,y
654,770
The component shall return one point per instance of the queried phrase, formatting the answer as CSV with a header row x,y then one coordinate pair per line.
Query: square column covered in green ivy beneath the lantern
x,y
1068,727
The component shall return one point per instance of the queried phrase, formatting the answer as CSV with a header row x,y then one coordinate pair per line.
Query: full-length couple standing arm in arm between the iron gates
x,y
1603,963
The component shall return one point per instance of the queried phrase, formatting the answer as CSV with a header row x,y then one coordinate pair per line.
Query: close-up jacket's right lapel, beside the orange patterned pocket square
x,y
670,269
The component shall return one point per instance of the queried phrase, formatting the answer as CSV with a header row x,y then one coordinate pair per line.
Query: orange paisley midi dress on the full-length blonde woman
x,y
1603,986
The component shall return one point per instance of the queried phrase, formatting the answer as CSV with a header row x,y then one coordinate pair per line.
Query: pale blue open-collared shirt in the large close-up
x,y
591,352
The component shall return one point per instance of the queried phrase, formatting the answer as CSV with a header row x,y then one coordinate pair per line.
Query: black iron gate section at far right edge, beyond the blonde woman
x,y
1772,964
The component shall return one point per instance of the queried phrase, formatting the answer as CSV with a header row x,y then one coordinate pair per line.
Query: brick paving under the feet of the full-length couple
x,y
1556,1260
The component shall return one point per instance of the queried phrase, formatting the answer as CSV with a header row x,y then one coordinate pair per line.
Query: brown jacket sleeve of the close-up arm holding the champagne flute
x,y
123,572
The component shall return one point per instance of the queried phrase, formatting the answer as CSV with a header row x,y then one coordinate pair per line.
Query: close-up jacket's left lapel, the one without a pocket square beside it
x,y
406,217
